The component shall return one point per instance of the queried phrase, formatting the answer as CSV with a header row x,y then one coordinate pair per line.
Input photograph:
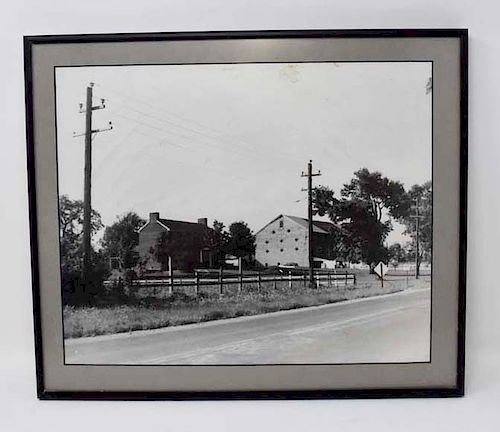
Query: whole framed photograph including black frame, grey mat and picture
x,y
257,214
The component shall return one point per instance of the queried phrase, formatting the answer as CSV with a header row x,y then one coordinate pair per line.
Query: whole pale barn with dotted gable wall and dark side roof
x,y
285,240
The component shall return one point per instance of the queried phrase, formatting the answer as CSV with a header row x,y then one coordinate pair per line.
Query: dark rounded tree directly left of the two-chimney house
x,y
121,238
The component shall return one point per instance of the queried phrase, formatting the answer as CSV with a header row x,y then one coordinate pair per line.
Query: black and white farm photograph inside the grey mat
x,y
265,213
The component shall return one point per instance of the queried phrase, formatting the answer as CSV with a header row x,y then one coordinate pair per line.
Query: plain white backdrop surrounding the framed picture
x,y
19,408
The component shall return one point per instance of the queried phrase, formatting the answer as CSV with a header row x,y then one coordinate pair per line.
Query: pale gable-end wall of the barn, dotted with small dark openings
x,y
281,245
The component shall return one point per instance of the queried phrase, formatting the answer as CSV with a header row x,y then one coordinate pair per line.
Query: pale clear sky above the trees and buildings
x,y
229,141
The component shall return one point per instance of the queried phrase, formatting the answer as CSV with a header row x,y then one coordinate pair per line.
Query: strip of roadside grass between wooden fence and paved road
x,y
181,308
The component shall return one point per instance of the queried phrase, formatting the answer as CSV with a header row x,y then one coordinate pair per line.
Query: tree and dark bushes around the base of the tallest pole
x,y
71,247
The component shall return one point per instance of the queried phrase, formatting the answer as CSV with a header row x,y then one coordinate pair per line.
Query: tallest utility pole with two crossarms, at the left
x,y
87,205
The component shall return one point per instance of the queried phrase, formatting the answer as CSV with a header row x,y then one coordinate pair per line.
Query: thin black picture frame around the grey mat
x,y
43,393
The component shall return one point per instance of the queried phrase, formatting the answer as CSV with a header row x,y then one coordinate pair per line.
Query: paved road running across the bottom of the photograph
x,y
391,328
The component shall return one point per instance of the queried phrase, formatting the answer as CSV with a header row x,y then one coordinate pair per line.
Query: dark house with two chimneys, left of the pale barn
x,y
187,246
